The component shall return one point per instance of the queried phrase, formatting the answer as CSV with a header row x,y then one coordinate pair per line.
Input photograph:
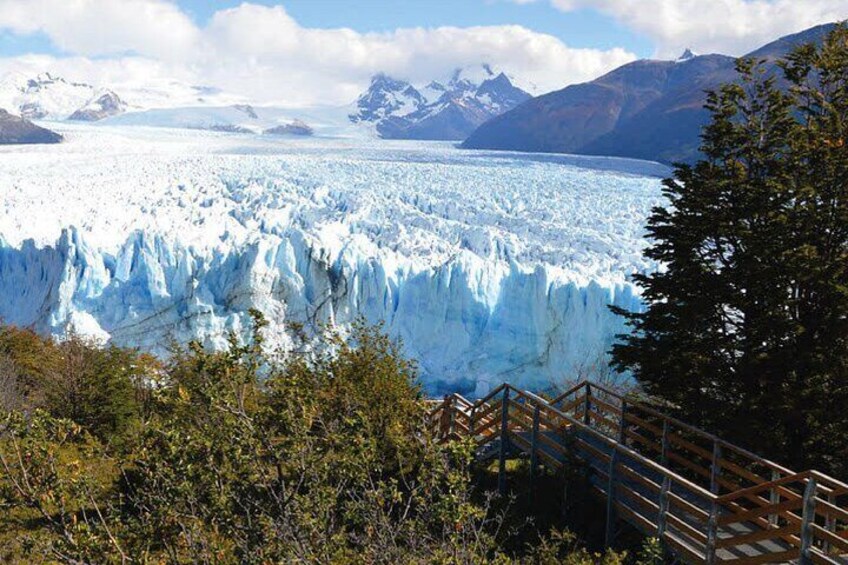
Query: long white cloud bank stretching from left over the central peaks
x,y
263,53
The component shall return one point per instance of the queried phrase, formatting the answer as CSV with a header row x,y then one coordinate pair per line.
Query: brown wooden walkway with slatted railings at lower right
x,y
707,500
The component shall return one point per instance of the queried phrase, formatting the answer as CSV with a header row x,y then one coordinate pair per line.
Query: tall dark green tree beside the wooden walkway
x,y
746,329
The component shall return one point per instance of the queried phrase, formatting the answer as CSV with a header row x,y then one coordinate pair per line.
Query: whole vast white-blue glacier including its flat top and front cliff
x,y
488,266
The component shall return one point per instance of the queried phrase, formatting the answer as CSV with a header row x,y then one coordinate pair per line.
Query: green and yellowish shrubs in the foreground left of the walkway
x,y
236,457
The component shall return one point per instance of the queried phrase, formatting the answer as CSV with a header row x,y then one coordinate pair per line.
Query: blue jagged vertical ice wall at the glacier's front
x,y
468,321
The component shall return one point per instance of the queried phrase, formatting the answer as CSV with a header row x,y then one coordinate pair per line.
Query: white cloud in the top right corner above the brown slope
x,y
733,27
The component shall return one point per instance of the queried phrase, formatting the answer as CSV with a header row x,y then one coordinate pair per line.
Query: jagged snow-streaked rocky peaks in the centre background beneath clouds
x,y
448,110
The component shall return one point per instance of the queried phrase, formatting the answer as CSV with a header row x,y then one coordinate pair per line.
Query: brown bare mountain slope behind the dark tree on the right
x,y
645,109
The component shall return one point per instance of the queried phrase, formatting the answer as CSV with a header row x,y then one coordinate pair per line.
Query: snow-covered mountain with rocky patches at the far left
x,y
50,97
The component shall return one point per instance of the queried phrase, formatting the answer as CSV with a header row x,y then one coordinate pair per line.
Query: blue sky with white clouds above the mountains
x,y
314,52
